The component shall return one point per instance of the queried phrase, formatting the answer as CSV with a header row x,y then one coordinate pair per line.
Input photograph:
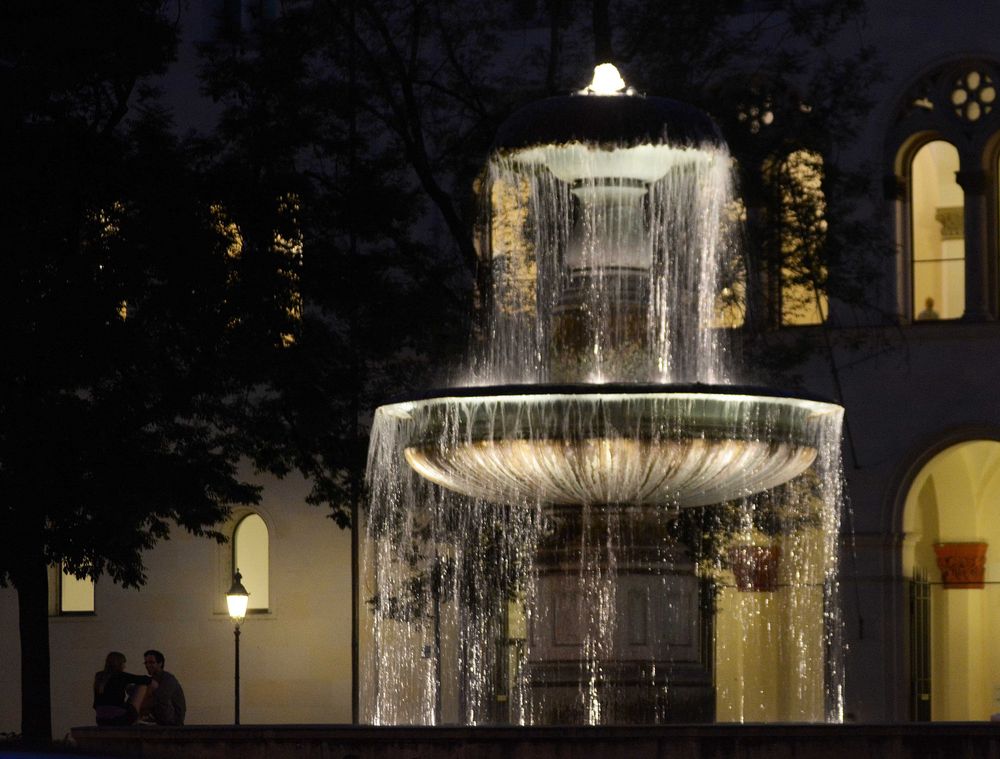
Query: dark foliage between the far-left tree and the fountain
x,y
324,104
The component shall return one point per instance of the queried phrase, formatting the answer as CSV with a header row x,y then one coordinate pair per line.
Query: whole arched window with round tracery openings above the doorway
x,y
945,156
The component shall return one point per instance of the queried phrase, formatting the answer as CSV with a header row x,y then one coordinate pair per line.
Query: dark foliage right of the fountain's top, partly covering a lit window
x,y
788,83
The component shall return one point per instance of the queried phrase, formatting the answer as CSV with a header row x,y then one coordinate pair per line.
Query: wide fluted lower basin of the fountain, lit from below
x,y
586,444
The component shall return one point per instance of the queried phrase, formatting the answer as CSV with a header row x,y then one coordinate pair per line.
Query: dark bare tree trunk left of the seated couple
x,y
32,582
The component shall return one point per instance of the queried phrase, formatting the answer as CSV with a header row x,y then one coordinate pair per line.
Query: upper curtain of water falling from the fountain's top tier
x,y
606,279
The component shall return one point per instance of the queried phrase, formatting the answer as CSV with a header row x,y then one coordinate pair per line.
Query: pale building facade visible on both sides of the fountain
x,y
921,560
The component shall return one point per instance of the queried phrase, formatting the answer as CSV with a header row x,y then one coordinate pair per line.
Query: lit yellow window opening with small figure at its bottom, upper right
x,y
937,215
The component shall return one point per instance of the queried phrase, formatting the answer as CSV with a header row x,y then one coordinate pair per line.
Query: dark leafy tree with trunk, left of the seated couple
x,y
125,406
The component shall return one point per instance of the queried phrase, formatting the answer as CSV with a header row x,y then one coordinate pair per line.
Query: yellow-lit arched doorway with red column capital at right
x,y
951,557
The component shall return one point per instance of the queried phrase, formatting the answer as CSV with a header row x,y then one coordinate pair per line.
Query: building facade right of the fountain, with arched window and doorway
x,y
920,565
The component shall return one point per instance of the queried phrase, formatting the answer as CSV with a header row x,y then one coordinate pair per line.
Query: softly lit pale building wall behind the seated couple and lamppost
x,y
295,646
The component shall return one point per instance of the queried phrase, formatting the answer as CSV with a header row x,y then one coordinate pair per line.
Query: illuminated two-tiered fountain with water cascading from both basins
x,y
585,532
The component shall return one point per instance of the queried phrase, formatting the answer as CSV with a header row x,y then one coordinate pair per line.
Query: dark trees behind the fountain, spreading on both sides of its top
x,y
378,116
